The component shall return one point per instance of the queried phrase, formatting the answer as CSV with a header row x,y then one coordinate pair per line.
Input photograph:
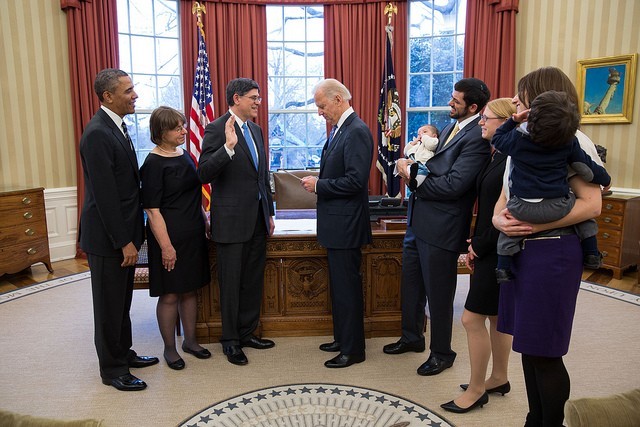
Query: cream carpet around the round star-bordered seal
x,y
48,366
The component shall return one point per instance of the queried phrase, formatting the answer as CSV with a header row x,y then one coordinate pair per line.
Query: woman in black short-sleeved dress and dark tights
x,y
176,233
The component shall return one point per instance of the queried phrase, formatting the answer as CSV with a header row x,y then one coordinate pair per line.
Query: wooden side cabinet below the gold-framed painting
x,y
619,232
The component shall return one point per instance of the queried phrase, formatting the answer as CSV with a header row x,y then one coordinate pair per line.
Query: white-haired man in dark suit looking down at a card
x,y
343,216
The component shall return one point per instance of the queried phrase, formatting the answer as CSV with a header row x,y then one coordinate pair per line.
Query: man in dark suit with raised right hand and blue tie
x,y
233,160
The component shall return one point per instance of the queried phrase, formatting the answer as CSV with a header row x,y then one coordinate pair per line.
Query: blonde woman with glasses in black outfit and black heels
x,y
483,296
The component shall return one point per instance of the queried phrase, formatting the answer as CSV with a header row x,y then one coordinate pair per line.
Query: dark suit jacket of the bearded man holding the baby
x,y
441,208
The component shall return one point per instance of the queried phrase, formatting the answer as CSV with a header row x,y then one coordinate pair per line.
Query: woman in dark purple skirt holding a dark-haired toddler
x,y
537,307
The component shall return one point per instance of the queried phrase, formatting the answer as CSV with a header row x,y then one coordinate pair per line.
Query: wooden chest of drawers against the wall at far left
x,y
23,230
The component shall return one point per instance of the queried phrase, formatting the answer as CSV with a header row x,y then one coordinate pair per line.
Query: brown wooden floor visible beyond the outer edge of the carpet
x,y
38,273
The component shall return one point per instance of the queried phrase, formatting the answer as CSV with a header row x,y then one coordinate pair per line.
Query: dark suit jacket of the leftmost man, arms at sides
x,y
112,212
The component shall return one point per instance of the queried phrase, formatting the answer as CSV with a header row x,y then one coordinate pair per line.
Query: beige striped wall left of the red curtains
x,y
35,101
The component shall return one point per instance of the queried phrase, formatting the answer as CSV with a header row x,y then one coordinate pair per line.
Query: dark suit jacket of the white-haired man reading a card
x,y
343,193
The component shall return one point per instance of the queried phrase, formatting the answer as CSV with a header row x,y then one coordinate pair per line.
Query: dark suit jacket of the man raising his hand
x,y
235,183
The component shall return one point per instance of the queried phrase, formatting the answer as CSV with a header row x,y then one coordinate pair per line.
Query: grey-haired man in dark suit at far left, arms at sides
x,y
111,227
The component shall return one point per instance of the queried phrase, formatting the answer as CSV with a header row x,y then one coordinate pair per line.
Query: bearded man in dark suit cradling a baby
x,y
439,218
